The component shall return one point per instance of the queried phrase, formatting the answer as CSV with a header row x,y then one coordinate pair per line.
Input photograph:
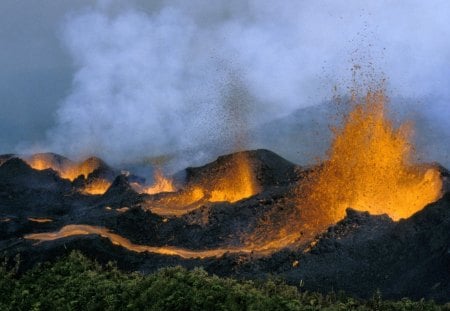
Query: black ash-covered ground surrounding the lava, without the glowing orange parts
x,y
360,254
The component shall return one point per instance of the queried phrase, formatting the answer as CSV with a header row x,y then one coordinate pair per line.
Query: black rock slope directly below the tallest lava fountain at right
x,y
364,253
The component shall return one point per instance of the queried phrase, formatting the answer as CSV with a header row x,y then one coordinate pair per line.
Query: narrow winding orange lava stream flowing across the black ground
x,y
75,230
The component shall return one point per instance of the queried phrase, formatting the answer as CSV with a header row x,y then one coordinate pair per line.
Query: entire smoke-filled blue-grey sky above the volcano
x,y
128,79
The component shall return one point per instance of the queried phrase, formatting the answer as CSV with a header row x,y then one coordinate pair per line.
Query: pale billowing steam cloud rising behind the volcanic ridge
x,y
176,77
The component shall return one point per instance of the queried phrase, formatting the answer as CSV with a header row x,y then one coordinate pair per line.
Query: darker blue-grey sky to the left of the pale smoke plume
x,y
36,69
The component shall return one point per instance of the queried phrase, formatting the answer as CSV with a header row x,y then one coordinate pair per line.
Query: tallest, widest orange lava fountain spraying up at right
x,y
369,168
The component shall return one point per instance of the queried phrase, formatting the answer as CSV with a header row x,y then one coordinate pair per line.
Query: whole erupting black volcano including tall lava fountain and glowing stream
x,y
245,210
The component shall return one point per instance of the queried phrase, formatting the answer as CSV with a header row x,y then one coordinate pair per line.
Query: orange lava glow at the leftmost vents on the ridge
x,y
65,168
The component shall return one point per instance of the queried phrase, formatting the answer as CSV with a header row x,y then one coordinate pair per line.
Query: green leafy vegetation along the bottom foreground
x,y
77,283
